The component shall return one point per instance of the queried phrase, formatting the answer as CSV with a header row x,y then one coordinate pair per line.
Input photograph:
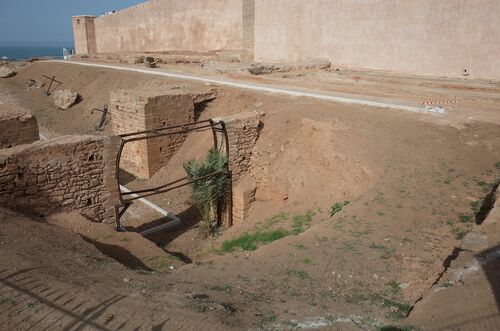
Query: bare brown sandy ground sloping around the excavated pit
x,y
415,183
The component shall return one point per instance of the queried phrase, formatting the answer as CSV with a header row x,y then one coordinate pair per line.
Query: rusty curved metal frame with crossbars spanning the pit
x,y
127,198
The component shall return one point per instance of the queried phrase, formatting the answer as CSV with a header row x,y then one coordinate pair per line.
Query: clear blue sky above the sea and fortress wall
x,y
48,21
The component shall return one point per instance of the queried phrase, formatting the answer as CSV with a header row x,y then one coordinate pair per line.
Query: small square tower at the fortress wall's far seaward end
x,y
84,34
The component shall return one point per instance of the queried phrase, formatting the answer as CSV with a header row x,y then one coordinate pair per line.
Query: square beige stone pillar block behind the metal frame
x,y
138,110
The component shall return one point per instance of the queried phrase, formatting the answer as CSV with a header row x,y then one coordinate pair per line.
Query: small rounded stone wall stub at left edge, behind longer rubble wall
x,y
17,126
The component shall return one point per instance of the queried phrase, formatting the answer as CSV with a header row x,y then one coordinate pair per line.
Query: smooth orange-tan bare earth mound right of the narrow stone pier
x,y
309,167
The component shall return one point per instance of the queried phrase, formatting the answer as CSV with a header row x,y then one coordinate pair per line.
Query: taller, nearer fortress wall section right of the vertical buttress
x,y
427,37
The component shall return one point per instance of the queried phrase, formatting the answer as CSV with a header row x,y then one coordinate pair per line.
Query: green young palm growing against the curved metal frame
x,y
207,192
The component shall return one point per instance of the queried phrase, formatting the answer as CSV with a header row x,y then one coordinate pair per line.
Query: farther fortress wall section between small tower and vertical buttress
x,y
170,25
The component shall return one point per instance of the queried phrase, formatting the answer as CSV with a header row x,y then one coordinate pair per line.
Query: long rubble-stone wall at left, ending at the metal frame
x,y
70,173
